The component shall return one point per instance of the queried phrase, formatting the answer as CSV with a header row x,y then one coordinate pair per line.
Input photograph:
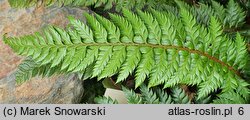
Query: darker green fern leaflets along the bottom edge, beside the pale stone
x,y
149,96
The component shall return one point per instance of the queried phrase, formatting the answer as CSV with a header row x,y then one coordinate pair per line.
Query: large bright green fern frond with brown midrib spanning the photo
x,y
158,48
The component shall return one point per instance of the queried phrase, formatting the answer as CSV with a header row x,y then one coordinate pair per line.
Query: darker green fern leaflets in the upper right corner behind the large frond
x,y
232,16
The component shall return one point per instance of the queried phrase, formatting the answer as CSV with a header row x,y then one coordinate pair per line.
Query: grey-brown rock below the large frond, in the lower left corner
x,y
66,89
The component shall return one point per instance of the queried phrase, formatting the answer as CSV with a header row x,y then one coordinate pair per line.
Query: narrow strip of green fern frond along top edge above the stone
x,y
108,4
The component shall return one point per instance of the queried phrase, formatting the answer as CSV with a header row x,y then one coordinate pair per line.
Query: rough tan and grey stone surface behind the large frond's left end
x,y
16,22
